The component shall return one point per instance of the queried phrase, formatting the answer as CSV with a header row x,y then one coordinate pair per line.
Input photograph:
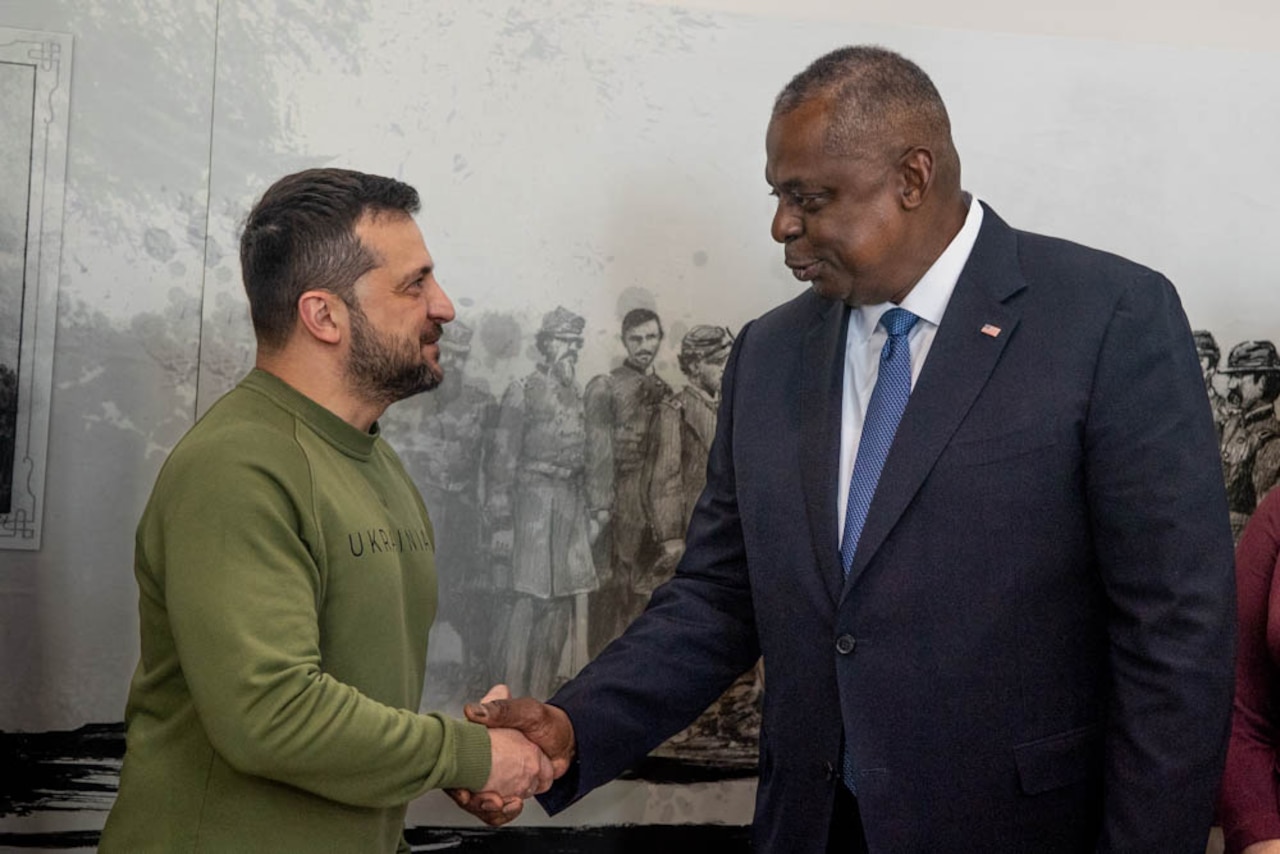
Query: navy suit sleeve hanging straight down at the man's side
x,y
1164,550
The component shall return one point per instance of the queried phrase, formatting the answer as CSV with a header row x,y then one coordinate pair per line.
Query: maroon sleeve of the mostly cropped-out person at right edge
x,y
1249,810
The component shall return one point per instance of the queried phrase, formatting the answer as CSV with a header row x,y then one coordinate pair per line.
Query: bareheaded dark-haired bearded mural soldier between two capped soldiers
x,y
621,409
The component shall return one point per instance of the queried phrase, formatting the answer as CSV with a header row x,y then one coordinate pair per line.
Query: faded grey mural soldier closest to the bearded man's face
x,y
446,462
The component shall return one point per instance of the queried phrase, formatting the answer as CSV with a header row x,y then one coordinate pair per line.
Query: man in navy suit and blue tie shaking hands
x,y
1027,645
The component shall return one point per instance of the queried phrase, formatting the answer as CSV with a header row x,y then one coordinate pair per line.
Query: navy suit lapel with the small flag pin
x,y
959,364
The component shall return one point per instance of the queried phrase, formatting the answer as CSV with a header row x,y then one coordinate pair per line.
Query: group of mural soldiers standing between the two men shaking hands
x,y
560,509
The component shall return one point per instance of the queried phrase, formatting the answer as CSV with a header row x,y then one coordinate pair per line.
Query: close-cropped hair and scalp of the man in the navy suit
x,y
877,103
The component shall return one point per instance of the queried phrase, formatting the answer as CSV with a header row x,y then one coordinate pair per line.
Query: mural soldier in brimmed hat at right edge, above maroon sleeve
x,y
1251,454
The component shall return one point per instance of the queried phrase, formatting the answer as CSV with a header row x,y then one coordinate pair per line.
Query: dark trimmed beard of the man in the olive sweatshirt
x,y
383,369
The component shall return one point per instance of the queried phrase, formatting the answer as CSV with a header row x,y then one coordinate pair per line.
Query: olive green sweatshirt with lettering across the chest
x,y
286,569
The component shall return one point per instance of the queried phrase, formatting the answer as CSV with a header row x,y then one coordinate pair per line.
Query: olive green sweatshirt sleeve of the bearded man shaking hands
x,y
243,596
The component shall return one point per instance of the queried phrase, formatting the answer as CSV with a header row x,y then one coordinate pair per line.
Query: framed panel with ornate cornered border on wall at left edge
x,y
35,81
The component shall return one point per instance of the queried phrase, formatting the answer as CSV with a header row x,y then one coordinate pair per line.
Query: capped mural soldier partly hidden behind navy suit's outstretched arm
x,y
675,474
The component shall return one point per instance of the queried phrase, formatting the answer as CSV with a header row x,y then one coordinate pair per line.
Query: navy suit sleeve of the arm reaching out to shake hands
x,y
694,640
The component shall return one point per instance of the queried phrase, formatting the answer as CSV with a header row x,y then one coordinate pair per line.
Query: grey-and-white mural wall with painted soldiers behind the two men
x,y
592,177
